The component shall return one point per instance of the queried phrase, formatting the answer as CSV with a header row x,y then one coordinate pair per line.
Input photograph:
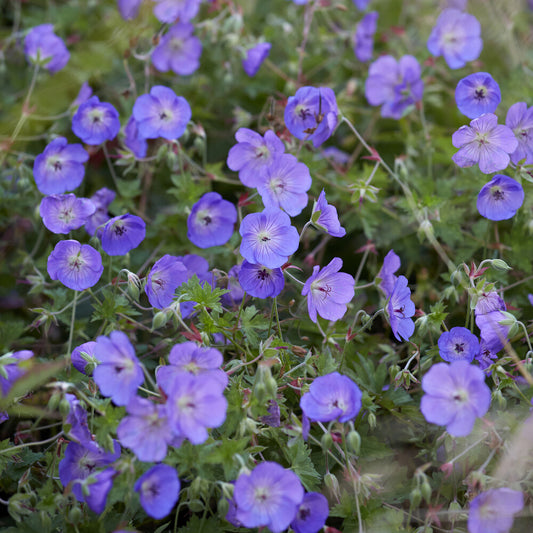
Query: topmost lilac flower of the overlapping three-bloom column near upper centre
x,y
253,155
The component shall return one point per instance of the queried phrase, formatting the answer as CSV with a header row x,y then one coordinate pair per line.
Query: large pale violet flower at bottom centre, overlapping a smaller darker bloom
x,y
269,496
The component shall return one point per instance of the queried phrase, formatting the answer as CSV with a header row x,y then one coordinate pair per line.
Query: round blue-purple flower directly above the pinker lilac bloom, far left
x,y
60,167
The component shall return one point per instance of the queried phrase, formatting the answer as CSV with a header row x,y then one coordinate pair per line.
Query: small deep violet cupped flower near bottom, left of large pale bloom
x,y
158,490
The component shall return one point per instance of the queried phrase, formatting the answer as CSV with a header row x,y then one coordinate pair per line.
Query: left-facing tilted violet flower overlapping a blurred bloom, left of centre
x,y
167,274
